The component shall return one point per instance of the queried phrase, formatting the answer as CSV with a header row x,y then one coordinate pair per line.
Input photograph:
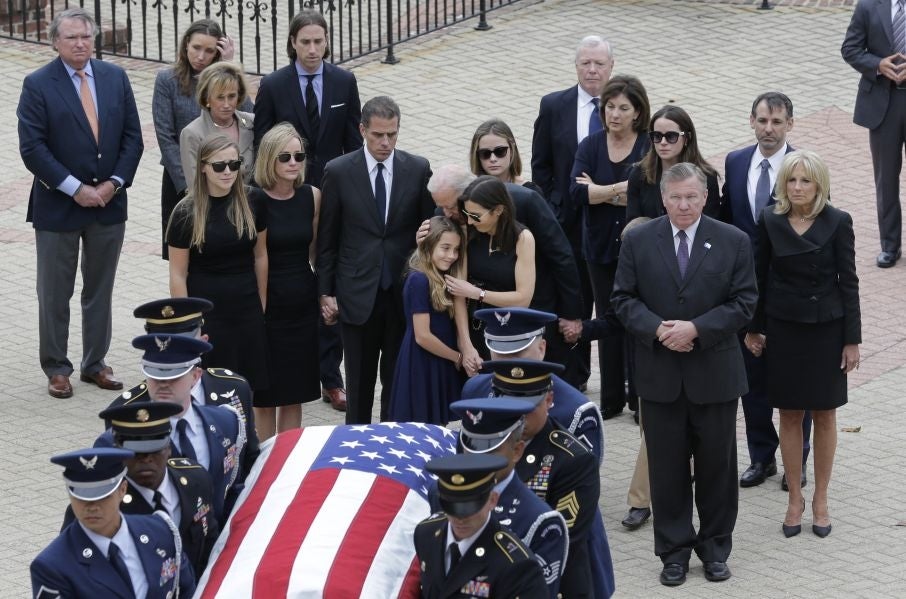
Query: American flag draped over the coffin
x,y
329,511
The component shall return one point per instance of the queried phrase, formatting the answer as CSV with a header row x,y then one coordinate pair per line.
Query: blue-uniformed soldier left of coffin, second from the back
x,y
212,436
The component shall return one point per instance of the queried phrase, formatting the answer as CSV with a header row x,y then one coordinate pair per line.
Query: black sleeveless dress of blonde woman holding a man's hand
x,y
292,301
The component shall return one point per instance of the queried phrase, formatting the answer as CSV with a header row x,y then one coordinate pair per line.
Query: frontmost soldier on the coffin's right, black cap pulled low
x,y
463,551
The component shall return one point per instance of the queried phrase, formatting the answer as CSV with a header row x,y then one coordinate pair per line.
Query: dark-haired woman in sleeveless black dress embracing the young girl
x,y
500,265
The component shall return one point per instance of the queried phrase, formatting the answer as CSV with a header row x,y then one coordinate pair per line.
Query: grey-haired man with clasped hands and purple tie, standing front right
x,y
684,286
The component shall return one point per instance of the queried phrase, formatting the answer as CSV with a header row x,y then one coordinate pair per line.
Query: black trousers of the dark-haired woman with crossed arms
x,y
610,349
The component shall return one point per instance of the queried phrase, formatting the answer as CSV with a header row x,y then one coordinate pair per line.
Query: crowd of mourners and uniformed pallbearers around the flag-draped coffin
x,y
298,236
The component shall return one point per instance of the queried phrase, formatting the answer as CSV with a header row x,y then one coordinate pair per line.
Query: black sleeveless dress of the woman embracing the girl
x,y
491,270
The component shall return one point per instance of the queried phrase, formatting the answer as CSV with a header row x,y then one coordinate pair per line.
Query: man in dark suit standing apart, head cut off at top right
x,y
875,45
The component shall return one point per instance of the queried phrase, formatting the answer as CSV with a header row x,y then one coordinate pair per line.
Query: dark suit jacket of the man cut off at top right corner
x,y
869,38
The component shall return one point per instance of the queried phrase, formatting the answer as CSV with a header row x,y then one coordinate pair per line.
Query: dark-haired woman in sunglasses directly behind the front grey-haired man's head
x,y
673,140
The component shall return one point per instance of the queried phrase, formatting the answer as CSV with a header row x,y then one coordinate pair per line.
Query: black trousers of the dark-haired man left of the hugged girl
x,y
370,348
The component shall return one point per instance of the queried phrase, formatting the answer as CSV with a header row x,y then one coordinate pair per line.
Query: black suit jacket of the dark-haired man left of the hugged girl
x,y
353,240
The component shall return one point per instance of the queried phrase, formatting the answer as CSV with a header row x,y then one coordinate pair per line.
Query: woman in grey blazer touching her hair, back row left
x,y
173,105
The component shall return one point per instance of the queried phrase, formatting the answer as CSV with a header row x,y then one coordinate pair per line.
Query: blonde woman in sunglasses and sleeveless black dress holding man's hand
x,y
292,290
